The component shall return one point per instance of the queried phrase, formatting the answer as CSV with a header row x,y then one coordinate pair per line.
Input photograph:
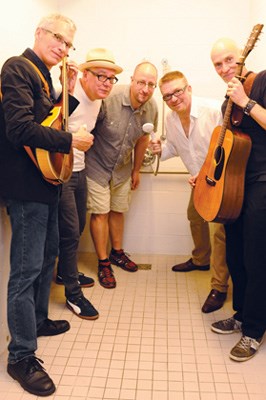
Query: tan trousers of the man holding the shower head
x,y
209,246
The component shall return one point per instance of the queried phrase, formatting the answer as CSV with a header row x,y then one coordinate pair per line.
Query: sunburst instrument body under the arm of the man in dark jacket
x,y
54,166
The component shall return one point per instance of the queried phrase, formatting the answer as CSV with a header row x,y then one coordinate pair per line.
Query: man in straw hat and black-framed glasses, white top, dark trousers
x,y
96,83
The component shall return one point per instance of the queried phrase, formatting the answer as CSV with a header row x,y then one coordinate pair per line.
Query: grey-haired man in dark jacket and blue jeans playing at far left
x,y
31,197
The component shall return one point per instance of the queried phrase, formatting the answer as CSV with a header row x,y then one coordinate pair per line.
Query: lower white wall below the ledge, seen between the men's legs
x,y
156,222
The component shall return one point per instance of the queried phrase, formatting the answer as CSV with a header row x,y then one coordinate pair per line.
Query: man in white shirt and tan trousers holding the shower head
x,y
189,126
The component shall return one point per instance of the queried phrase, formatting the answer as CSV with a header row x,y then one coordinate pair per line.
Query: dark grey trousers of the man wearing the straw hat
x,y
72,220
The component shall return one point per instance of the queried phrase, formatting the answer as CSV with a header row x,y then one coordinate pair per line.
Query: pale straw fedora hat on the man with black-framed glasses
x,y
100,57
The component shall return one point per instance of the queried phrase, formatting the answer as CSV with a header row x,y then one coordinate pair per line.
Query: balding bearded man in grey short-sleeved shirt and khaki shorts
x,y
111,173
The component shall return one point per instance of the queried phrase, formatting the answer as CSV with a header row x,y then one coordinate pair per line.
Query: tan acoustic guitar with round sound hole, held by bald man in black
x,y
219,190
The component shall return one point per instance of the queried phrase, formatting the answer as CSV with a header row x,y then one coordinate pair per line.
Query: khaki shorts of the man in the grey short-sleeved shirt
x,y
101,199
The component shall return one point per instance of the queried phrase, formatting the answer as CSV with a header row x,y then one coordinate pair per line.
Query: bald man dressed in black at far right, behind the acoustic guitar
x,y
245,238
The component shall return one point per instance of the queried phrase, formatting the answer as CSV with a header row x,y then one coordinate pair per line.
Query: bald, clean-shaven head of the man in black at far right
x,y
225,54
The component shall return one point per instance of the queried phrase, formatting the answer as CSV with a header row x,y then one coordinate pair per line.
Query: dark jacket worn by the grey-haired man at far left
x,y
24,107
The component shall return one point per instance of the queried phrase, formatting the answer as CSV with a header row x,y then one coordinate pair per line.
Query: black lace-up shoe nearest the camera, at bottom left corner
x,y
31,376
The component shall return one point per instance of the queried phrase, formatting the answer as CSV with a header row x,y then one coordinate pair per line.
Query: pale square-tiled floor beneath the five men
x,y
151,342
